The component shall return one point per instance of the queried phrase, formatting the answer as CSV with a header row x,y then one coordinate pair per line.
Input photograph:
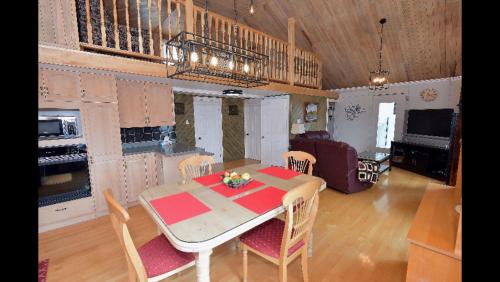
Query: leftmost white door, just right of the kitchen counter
x,y
208,125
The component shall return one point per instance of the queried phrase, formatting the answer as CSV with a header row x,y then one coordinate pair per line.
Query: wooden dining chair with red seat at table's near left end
x,y
153,261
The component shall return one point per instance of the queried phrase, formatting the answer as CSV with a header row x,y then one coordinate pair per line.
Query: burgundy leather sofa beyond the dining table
x,y
337,162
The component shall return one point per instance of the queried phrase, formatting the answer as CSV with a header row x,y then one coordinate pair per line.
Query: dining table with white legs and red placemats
x,y
208,214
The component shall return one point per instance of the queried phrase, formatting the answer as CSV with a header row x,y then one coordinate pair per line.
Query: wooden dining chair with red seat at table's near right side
x,y
280,242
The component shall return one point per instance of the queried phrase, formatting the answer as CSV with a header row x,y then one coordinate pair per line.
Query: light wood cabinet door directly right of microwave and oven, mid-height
x,y
101,129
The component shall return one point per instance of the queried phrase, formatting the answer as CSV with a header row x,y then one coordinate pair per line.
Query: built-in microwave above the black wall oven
x,y
59,124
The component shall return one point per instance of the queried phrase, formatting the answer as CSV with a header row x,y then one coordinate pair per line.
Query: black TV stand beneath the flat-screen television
x,y
428,160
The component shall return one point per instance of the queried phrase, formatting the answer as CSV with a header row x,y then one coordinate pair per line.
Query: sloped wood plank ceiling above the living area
x,y
422,38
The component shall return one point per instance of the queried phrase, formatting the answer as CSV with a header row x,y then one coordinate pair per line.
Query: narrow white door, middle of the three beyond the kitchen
x,y
252,128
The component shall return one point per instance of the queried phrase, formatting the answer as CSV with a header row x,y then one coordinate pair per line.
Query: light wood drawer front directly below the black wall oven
x,y
63,211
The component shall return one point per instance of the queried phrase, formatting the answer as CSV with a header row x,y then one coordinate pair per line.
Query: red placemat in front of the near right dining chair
x,y
263,200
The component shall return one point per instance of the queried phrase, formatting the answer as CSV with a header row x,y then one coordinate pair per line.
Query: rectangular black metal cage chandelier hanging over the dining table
x,y
200,57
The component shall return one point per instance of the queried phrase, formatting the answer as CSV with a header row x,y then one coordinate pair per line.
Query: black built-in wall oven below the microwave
x,y
63,174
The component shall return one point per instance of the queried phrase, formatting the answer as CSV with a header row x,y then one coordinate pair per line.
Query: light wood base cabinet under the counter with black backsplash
x,y
141,172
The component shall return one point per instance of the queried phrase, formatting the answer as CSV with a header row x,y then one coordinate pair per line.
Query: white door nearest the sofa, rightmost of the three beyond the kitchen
x,y
274,129
